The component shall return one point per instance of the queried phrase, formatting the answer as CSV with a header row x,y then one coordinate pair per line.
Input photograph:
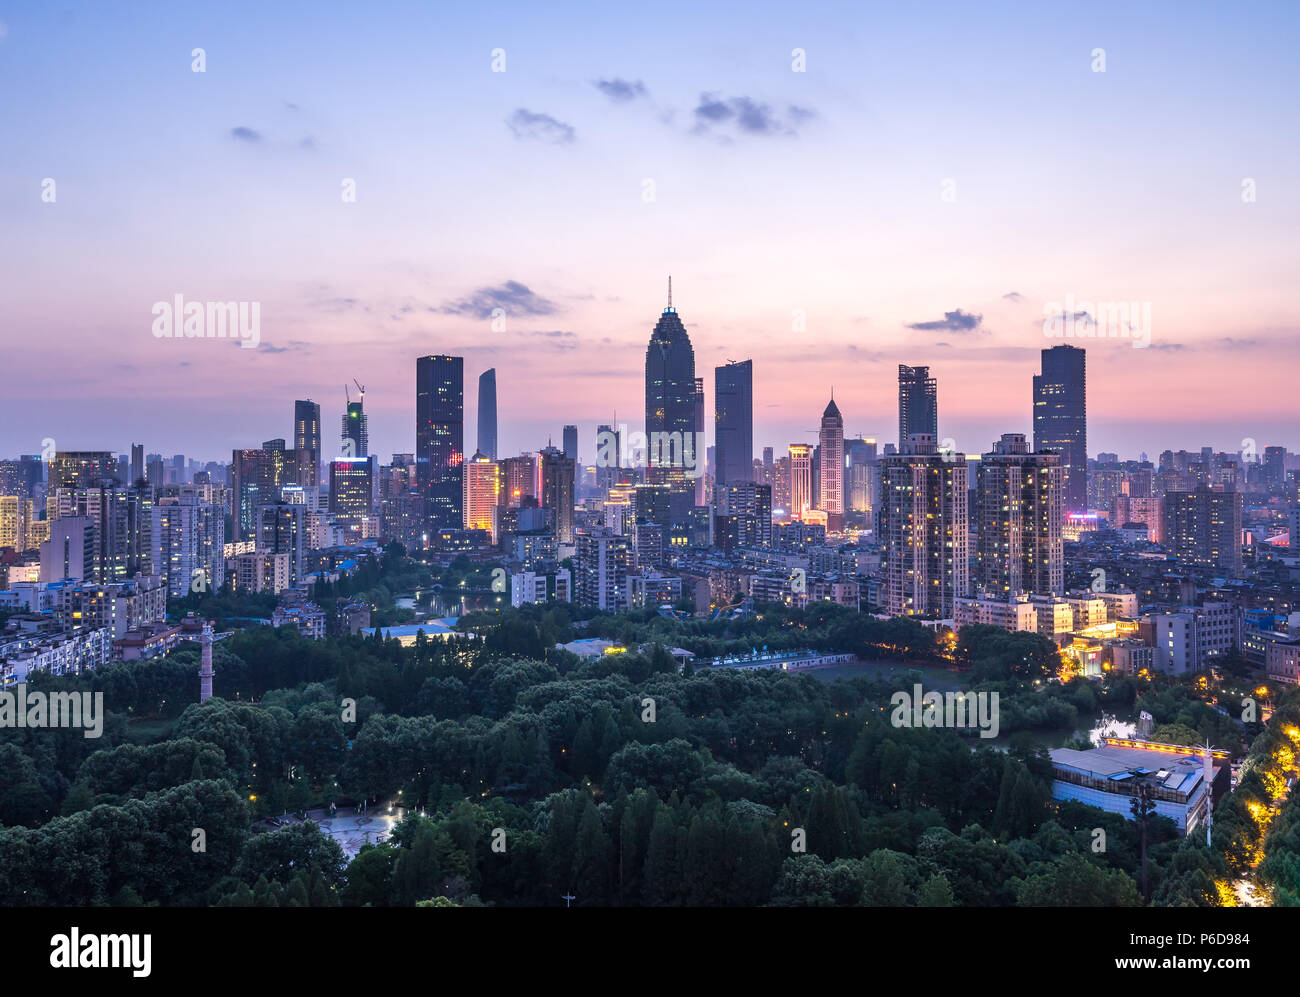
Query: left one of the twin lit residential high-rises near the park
x,y
924,530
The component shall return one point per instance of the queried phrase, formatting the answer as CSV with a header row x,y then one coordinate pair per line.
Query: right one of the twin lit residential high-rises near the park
x,y
1020,548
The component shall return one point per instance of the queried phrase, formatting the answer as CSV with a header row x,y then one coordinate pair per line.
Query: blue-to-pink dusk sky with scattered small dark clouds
x,y
935,183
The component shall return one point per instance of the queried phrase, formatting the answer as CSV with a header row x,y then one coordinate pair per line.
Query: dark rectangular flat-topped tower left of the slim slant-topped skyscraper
x,y
440,448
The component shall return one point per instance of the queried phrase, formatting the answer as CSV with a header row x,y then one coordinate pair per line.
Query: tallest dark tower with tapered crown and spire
x,y
671,401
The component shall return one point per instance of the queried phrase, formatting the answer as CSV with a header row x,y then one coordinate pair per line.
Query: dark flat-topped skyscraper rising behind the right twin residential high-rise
x,y
1061,419
